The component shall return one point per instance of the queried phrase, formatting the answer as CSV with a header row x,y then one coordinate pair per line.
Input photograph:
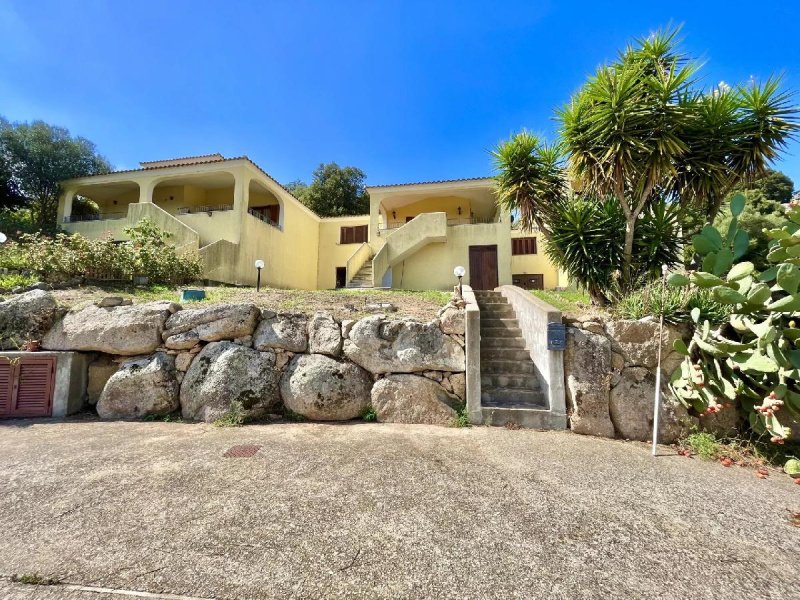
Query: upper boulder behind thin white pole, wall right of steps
x,y
637,341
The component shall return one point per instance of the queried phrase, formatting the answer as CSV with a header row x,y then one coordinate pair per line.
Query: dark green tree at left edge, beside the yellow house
x,y
39,156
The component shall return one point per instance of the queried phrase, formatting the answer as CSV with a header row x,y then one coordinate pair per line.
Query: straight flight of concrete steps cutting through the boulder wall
x,y
511,391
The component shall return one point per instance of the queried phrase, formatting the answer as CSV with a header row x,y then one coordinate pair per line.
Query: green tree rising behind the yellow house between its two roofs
x,y
334,191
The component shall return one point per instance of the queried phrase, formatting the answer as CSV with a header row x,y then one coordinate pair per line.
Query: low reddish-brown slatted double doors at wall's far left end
x,y
26,386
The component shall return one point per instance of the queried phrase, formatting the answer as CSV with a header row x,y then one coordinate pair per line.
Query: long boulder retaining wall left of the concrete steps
x,y
156,358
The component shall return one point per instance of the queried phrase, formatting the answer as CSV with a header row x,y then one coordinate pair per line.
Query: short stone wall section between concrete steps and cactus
x,y
610,374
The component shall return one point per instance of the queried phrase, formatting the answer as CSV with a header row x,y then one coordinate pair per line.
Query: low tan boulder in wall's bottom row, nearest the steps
x,y
413,399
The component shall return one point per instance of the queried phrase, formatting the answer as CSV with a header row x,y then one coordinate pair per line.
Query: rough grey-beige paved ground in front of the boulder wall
x,y
380,511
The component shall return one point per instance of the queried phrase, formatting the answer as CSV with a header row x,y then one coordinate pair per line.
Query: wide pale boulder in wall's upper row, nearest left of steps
x,y
402,346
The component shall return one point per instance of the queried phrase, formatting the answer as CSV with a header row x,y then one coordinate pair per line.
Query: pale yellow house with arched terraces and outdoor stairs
x,y
233,213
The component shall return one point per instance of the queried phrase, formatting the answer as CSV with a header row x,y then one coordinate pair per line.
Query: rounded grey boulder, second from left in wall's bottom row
x,y
226,376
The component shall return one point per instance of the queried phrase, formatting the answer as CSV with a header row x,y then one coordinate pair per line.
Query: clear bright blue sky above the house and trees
x,y
408,91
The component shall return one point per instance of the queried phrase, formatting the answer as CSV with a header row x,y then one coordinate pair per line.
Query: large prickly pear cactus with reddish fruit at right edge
x,y
753,361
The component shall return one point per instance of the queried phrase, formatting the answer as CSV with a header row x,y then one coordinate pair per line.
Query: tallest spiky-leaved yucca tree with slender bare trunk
x,y
640,129
